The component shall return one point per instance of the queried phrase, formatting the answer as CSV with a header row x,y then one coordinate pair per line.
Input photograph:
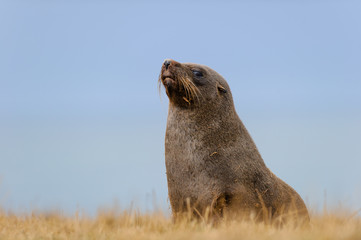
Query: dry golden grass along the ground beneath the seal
x,y
132,225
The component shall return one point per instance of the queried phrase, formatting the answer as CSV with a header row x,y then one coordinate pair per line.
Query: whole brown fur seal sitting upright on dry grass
x,y
213,166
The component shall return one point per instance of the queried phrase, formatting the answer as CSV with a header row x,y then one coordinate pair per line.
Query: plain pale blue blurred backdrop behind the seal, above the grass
x,y
82,123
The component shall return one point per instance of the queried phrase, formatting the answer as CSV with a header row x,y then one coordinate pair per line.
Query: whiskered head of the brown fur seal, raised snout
x,y
192,85
